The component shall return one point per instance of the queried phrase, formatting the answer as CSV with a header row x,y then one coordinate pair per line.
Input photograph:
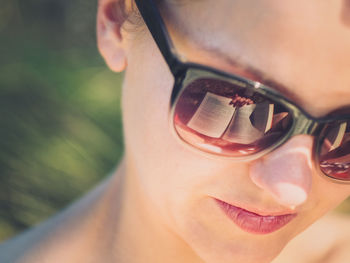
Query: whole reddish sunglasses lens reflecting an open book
x,y
225,118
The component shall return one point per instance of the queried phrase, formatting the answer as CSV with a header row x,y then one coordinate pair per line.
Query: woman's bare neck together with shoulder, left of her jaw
x,y
113,223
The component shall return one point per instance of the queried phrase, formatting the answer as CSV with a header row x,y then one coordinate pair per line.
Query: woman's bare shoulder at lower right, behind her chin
x,y
326,241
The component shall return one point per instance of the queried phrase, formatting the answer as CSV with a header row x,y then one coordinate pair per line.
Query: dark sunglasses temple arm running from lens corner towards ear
x,y
156,26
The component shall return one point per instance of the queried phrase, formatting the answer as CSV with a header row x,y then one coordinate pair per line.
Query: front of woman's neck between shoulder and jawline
x,y
140,235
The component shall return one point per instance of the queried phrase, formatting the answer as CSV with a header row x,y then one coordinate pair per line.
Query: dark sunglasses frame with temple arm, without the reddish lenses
x,y
183,71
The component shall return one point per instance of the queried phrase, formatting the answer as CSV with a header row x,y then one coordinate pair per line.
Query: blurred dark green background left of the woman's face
x,y
60,120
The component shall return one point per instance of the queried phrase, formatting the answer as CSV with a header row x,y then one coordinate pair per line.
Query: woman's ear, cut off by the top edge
x,y
110,19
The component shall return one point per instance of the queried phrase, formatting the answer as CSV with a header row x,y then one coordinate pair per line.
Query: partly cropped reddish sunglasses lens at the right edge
x,y
335,151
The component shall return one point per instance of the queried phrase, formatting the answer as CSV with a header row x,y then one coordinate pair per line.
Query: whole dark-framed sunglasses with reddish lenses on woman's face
x,y
233,117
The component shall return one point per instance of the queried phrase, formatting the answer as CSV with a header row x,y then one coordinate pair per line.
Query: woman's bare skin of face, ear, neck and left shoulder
x,y
158,206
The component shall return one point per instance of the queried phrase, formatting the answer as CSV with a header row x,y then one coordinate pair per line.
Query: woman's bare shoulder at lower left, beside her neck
x,y
69,236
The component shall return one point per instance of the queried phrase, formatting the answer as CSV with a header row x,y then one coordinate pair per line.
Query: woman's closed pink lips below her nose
x,y
255,223
